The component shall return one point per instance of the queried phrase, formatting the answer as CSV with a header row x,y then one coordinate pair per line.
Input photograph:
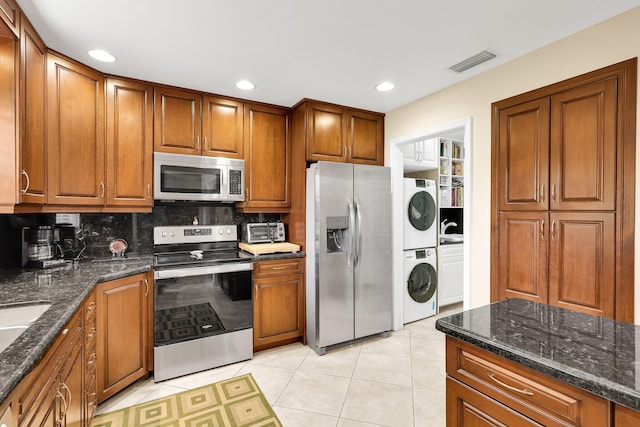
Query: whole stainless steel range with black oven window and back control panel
x,y
203,299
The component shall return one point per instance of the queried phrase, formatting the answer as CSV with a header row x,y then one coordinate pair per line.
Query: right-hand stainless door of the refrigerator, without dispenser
x,y
373,267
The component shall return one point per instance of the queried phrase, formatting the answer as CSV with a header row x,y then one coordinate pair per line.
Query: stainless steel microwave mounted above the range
x,y
201,178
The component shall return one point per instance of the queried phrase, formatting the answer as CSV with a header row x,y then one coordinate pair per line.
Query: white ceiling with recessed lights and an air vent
x,y
331,50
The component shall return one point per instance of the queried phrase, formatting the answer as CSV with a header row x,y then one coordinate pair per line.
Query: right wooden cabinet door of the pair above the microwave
x,y
222,127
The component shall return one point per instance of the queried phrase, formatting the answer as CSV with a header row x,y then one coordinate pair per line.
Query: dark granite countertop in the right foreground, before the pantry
x,y
593,353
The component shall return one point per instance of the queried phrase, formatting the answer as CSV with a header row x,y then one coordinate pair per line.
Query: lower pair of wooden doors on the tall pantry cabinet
x,y
566,259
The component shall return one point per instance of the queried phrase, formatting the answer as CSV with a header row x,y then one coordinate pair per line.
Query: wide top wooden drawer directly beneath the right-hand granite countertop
x,y
542,398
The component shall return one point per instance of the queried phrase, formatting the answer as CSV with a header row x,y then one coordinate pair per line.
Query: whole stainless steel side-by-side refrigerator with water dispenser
x,y
348,263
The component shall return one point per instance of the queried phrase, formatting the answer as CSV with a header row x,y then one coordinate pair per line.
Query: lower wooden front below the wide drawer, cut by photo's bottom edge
x,y
470,408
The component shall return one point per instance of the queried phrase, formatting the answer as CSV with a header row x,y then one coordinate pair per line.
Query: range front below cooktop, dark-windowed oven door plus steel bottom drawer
x,y
203,318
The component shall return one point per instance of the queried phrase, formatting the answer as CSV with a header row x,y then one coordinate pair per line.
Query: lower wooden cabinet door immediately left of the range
x,y
122,327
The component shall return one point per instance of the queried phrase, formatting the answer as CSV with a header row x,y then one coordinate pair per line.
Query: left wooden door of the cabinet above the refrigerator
x,y
326,132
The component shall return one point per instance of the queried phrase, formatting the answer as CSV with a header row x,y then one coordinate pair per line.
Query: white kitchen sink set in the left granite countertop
x,y
16,318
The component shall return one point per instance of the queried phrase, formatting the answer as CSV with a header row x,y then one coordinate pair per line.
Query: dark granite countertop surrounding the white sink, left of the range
x,y
65,288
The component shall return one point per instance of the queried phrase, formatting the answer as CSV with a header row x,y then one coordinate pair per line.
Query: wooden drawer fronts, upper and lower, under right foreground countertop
x,y
485,389
